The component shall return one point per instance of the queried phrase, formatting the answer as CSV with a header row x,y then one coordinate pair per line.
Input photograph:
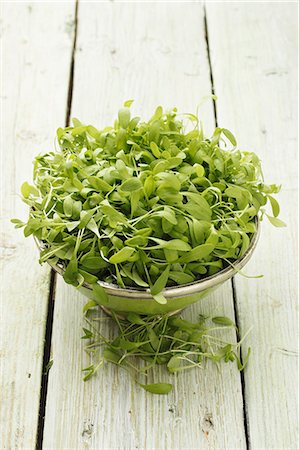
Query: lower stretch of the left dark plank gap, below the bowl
x,y
46,362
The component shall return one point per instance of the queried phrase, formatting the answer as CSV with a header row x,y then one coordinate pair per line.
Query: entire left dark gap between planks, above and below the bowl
x,y
51,302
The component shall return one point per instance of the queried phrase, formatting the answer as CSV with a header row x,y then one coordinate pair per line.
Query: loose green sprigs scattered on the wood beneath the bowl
x,y
173,342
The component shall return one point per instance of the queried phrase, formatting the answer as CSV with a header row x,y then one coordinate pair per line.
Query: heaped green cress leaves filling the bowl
x,y
145,204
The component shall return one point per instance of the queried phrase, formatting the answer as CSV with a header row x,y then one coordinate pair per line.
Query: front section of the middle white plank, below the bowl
x,y
111,412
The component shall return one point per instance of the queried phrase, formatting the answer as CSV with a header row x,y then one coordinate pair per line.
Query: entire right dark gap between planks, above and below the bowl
x,y
234,291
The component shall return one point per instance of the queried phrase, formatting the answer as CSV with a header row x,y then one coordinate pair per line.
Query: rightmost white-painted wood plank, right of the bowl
x,y
254,53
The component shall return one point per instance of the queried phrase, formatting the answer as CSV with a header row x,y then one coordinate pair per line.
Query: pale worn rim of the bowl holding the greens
x,y
173,291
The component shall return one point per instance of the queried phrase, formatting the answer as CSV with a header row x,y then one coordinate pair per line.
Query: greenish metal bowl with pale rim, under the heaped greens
x,y
141,301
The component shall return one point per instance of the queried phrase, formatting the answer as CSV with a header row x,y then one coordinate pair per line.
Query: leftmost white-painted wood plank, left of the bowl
x,y
36,50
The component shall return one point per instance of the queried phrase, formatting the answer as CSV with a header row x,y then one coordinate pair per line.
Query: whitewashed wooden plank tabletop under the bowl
x,y
63,60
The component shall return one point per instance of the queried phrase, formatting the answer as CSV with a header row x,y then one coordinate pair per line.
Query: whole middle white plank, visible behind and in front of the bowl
x,y
138,51
